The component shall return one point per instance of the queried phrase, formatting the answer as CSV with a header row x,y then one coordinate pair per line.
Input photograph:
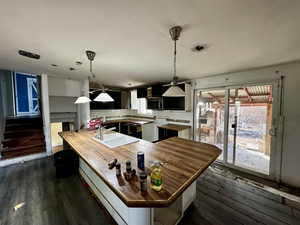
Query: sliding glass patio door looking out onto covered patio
x,y
240,121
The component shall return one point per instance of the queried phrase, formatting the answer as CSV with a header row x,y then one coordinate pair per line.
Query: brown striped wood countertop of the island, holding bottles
x,y
183,160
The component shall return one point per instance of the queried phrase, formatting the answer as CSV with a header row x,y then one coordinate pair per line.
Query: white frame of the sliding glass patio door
x,y
277,122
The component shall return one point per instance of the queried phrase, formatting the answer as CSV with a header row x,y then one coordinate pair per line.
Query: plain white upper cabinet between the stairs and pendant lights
x,y
64,87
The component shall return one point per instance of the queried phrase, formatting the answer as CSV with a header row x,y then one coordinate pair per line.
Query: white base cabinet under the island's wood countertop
x,y
123,214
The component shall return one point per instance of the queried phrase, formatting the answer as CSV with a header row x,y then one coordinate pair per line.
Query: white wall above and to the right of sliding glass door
x,y
291,136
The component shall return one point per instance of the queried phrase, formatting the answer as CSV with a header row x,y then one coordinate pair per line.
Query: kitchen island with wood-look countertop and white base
x,y
183,161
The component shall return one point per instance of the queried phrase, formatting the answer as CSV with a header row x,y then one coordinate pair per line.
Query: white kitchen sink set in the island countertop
x,y
114,140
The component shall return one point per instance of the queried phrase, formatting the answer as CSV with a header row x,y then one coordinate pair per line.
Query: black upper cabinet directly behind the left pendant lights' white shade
x,y
116,104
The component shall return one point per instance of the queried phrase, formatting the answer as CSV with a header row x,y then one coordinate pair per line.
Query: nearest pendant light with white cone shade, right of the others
x,y
174,91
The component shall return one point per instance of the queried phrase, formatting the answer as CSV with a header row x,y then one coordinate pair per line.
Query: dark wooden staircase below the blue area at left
x,y
23,136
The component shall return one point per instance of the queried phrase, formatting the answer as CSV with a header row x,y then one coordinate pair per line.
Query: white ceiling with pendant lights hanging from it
x,y
132,42
